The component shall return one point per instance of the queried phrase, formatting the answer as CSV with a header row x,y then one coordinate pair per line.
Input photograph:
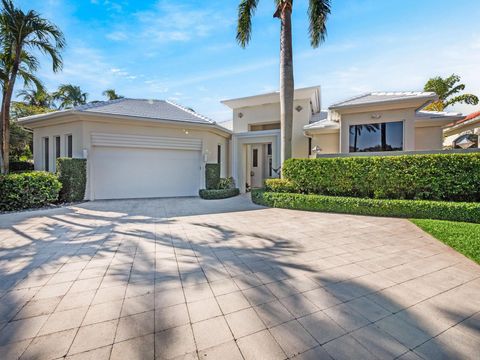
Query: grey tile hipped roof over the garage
x,y
142,108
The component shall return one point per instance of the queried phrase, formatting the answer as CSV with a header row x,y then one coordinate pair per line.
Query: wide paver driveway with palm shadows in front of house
x,y
186,278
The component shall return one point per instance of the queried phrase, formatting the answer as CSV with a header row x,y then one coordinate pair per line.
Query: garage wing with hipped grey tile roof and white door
x,y
135,148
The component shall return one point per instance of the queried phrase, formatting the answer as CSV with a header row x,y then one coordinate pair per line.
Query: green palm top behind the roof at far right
x,y
446,88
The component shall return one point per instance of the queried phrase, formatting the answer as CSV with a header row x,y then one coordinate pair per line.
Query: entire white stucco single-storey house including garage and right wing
x,y
151,148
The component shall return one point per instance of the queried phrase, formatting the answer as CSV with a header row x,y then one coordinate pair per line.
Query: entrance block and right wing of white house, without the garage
x,y
371,123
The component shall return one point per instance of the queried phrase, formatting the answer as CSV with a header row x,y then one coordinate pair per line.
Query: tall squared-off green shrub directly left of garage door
x,y
72,173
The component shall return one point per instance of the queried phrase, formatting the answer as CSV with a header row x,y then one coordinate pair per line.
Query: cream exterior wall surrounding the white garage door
x,y
81,131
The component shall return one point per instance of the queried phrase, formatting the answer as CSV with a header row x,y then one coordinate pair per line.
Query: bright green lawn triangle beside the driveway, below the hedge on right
x,y
463,237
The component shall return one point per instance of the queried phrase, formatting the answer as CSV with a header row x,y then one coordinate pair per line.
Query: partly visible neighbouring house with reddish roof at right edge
x,y
464,133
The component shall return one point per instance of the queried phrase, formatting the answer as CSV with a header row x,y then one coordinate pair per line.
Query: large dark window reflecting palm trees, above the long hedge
x,y
376,137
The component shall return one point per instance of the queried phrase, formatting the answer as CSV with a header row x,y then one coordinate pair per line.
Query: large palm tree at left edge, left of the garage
x,y
20,33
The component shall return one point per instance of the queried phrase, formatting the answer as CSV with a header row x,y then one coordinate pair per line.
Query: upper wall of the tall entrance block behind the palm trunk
x,y
270,113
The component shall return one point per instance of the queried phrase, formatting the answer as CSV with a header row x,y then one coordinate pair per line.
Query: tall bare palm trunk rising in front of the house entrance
x,y
286,83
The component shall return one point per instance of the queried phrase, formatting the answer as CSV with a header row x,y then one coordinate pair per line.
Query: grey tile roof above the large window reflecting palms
x,y
380,97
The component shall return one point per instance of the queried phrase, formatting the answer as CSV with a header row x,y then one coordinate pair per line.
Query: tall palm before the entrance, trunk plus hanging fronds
x,y
318,12
